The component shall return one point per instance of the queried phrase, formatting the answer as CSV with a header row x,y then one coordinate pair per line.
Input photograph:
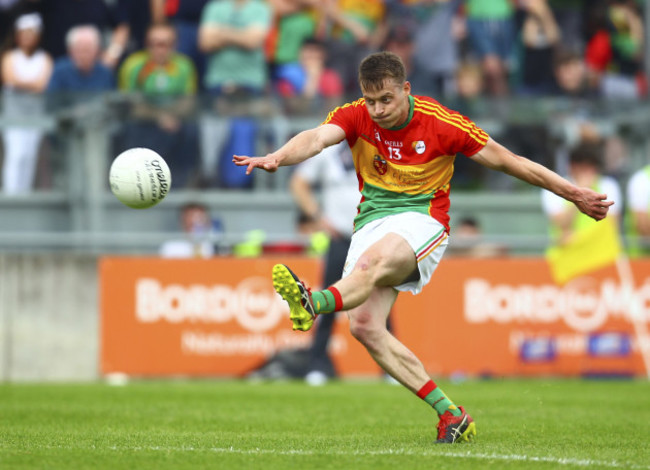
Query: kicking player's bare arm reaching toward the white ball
x,y
302,146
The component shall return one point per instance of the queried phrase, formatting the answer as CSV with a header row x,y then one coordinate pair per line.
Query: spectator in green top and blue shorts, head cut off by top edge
x,y
491,29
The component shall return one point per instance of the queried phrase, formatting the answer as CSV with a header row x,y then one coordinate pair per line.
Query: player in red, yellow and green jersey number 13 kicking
x,y
404,148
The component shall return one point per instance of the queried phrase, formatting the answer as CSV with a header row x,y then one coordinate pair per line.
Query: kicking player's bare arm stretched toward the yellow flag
x,y
497,157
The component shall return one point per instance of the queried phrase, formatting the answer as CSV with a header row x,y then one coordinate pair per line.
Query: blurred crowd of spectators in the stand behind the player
x,y
201,80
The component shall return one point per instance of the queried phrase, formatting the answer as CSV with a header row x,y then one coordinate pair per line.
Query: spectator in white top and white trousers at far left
x,y
26,70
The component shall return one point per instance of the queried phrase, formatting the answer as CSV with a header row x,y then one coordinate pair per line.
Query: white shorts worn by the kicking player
x,y
427,237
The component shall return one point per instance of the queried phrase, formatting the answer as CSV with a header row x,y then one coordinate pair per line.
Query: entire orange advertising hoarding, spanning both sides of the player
x,y
221,317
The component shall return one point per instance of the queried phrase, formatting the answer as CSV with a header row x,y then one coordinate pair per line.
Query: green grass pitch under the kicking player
x,y
231,425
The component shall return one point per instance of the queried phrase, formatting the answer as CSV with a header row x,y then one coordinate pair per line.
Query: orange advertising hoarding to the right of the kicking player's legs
x,y
507,317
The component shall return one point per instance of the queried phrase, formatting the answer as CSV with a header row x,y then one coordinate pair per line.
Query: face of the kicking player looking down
x,y
388,106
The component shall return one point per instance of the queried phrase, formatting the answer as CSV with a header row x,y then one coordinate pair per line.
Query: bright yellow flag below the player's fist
x,y
589,249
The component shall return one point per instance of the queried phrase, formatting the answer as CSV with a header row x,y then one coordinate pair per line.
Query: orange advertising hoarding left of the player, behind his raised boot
x,y
163,317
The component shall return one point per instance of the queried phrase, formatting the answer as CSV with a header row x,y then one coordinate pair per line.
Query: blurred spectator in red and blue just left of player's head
x,y
309,86
